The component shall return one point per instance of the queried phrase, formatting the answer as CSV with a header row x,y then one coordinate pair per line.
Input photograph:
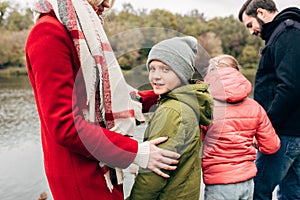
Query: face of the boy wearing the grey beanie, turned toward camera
x,y
162,78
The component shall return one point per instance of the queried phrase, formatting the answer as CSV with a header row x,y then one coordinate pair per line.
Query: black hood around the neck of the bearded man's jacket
x,y
288,13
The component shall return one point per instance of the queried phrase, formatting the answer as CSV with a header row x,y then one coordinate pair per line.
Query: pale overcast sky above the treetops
x,y
210,8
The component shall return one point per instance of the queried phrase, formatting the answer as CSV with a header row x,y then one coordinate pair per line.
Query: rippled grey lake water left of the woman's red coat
x,y
22,175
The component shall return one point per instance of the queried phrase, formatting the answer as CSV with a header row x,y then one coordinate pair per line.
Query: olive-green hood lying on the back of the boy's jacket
x,y
197,97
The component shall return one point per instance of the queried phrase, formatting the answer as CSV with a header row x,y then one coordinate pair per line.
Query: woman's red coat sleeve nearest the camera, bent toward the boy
x,y
52,67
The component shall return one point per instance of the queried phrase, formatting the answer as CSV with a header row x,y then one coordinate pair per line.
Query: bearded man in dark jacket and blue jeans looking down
x,y
276,88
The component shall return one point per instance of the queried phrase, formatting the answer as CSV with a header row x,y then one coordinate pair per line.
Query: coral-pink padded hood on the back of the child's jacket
x,y
228,85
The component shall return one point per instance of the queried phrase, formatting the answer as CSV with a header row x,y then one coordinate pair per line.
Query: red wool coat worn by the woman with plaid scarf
x,y
72,147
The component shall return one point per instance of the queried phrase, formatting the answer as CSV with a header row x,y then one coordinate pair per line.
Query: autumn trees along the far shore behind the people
x,y
132,33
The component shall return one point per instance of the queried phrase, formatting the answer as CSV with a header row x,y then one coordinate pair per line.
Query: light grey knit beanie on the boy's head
x,y
178,53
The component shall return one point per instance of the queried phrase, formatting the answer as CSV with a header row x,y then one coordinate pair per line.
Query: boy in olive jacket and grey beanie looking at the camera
x,y
181,108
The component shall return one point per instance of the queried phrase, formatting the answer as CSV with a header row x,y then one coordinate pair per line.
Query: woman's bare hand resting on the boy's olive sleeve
x,y
161,159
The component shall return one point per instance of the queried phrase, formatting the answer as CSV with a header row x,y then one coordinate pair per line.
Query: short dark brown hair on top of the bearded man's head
x,y
250,7
